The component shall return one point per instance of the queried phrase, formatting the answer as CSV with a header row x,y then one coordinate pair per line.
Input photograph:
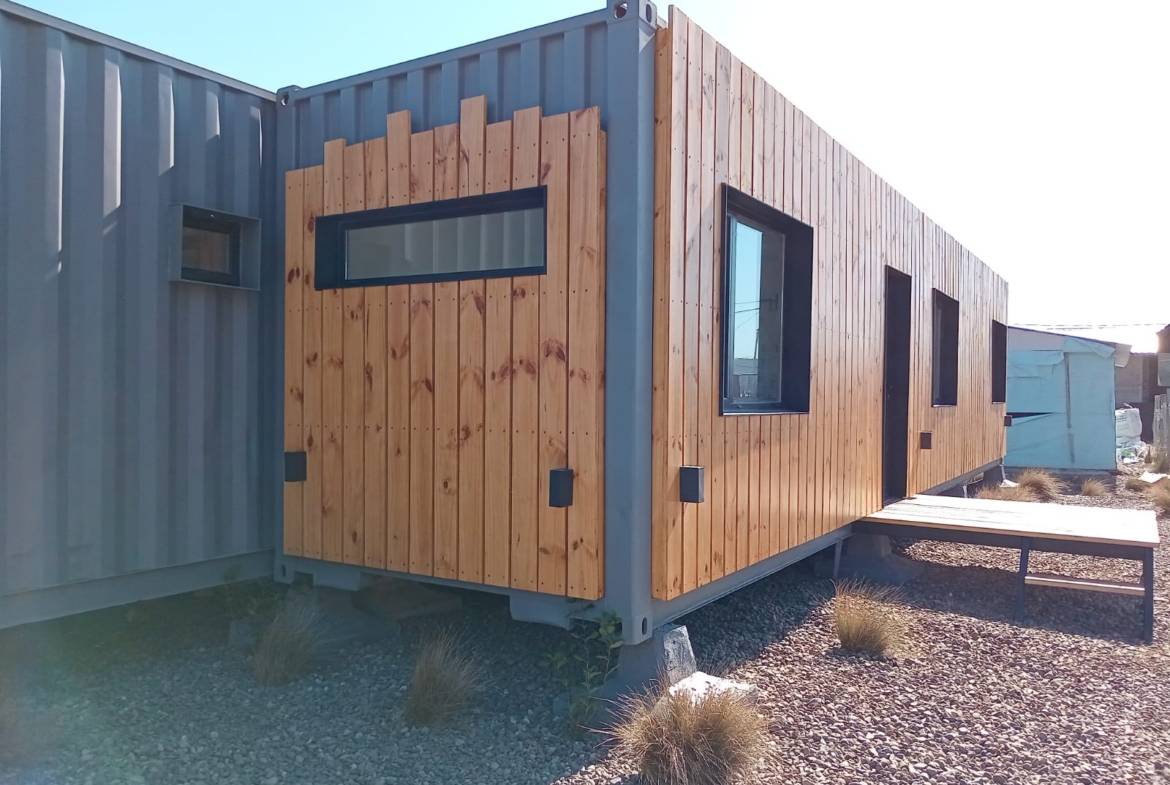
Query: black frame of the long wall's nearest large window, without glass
x,y
796,309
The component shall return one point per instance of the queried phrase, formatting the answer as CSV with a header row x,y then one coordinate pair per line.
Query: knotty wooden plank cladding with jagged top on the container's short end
x,y
431,414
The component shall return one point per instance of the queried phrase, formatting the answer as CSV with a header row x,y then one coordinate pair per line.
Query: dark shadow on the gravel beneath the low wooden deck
x,y
990,595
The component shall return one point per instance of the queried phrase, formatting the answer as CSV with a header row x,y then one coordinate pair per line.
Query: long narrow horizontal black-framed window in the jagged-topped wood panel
x,y
483,237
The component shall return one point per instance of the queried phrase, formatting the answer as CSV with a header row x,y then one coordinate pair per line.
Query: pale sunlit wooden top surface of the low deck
x,y
1063,522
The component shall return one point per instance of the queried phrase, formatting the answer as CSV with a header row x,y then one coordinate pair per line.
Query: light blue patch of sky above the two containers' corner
x,y
276,44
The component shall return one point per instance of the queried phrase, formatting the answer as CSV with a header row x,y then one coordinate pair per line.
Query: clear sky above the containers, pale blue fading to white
x,y
1036,133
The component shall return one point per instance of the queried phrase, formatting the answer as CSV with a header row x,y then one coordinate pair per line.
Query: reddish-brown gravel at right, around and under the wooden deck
x,y
1072,698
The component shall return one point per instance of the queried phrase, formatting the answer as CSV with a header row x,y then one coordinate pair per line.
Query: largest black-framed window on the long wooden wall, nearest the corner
x,y
767,307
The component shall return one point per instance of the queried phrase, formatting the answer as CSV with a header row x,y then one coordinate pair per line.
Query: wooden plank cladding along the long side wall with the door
x,y
776,481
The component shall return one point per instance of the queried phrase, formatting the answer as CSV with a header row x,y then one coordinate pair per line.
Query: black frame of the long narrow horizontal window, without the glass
x,y
331,271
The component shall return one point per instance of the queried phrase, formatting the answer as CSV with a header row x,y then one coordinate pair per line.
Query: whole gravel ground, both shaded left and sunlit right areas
x,y
976,698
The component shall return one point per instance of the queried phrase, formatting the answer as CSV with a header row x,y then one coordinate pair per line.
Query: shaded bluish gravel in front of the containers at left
x,y
195,715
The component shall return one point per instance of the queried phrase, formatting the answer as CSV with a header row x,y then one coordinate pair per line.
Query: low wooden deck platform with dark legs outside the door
x,y
1034,527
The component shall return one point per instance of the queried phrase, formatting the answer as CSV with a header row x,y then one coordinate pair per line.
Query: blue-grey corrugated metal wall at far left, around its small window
x,y
132,414
